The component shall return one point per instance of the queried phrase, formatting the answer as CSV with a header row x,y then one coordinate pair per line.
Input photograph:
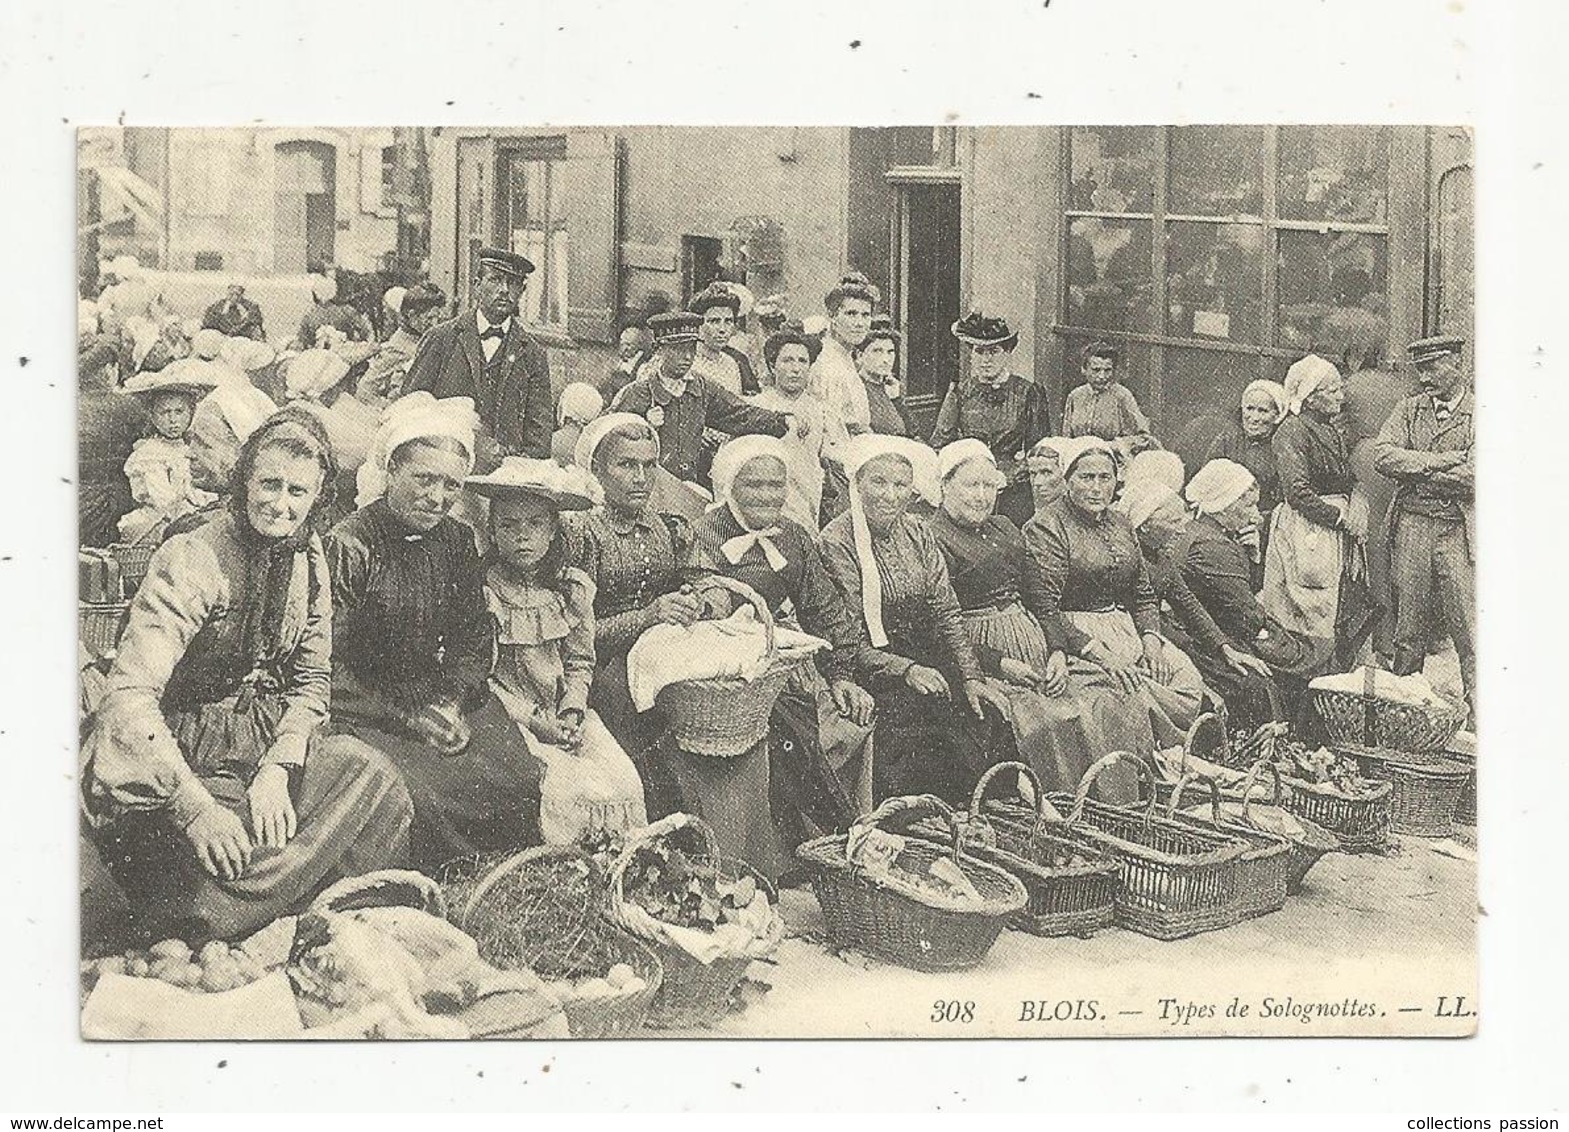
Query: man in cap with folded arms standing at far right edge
x,y
1427,448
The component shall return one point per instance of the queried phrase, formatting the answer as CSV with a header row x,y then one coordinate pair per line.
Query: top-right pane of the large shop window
x,y
1338,173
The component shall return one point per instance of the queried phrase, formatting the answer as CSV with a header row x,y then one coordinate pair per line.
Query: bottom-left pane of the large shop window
x,y
1110,283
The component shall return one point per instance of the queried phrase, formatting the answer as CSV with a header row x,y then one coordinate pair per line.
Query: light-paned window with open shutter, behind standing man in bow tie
x,y
533,222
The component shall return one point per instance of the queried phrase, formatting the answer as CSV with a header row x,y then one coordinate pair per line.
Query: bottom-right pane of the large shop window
x,y
1322,272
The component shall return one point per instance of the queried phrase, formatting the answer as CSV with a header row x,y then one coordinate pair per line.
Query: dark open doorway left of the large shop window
x,y
928,291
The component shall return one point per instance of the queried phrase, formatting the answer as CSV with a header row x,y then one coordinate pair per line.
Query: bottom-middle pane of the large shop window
x,y
1215,282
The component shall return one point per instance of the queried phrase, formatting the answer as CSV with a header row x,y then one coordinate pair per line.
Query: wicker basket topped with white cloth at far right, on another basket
x,y
1377,709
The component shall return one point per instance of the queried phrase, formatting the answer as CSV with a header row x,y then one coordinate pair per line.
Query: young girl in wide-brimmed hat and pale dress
x,y
545,638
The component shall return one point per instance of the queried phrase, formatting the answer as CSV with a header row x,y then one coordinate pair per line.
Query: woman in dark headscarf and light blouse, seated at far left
x,y
213,791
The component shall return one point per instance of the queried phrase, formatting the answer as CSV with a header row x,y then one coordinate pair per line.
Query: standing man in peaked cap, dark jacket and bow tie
x,y
486,354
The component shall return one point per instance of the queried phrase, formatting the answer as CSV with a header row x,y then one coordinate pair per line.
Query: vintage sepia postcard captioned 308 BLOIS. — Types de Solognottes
x,y
911,582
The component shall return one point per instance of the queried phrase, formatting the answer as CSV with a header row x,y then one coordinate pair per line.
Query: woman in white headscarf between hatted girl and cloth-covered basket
x,y
639,560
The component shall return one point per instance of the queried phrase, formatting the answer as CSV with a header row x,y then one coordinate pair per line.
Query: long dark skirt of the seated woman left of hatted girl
x,y
486,798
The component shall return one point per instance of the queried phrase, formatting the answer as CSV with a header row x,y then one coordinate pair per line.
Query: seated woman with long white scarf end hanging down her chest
x,y
890,569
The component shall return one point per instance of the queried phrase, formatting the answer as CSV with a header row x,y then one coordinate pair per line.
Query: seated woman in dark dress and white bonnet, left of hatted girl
x,y
415,640
